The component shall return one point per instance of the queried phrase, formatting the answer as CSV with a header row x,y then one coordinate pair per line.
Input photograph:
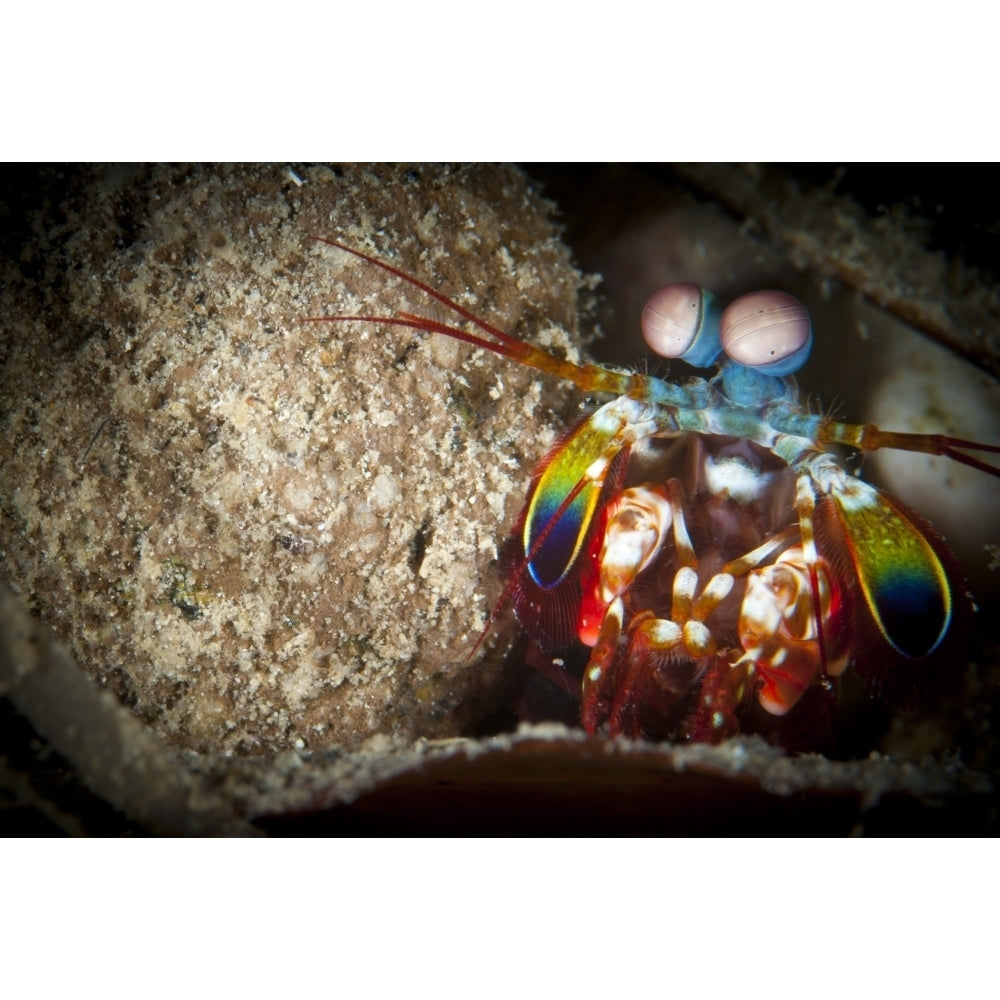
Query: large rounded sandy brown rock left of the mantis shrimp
x,y
261,533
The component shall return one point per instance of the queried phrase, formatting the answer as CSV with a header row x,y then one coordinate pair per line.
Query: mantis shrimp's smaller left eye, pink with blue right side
x,y
682,321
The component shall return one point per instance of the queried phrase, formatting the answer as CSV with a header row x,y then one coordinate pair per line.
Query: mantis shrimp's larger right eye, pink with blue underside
x,y
769,331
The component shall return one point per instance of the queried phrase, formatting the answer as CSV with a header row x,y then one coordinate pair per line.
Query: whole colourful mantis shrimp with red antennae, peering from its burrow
x,y
850,578
